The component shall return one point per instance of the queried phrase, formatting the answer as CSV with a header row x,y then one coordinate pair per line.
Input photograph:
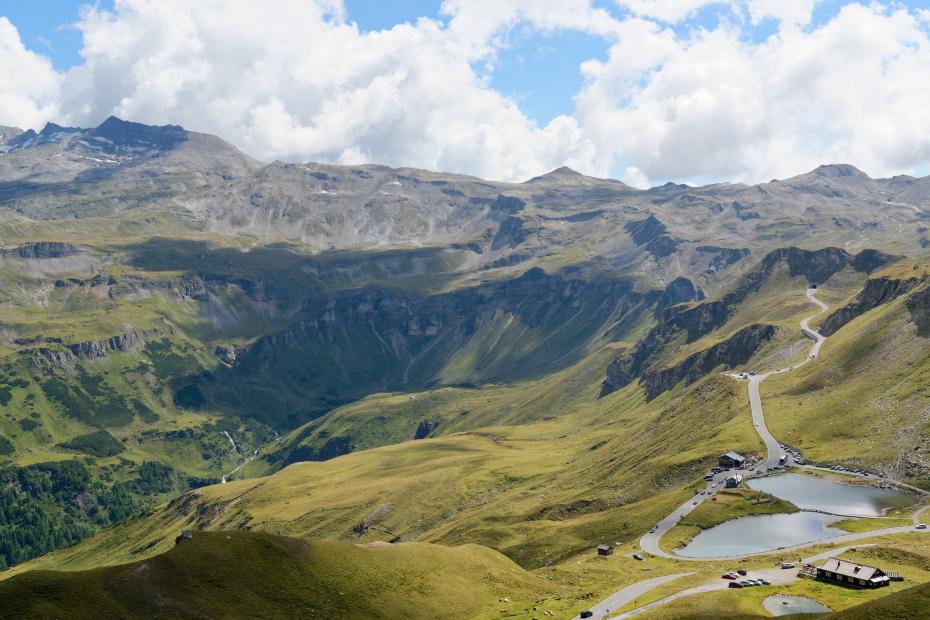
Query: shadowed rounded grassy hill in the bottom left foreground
x,y
241,574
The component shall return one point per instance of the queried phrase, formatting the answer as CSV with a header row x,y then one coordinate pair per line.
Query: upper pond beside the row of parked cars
x,y
815,493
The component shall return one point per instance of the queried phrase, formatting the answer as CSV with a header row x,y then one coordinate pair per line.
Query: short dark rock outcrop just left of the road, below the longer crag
x,y
731,352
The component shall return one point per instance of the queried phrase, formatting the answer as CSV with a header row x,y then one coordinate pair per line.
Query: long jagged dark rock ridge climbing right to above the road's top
x,y
699,320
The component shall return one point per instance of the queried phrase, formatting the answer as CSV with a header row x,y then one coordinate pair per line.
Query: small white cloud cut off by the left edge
x,y
28,83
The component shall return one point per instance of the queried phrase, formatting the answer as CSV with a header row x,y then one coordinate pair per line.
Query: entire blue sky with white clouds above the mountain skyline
x,y
645,91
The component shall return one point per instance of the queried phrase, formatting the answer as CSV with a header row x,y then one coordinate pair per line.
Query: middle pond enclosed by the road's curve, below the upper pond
x,y
761,533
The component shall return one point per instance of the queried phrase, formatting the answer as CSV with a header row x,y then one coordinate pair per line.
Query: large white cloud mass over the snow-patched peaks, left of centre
x,y
301,82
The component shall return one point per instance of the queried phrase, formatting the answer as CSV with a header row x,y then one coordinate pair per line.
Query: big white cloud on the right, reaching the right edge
x,y
716,106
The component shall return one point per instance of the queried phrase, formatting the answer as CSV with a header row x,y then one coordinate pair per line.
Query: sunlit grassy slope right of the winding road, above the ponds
x,y
866,400
